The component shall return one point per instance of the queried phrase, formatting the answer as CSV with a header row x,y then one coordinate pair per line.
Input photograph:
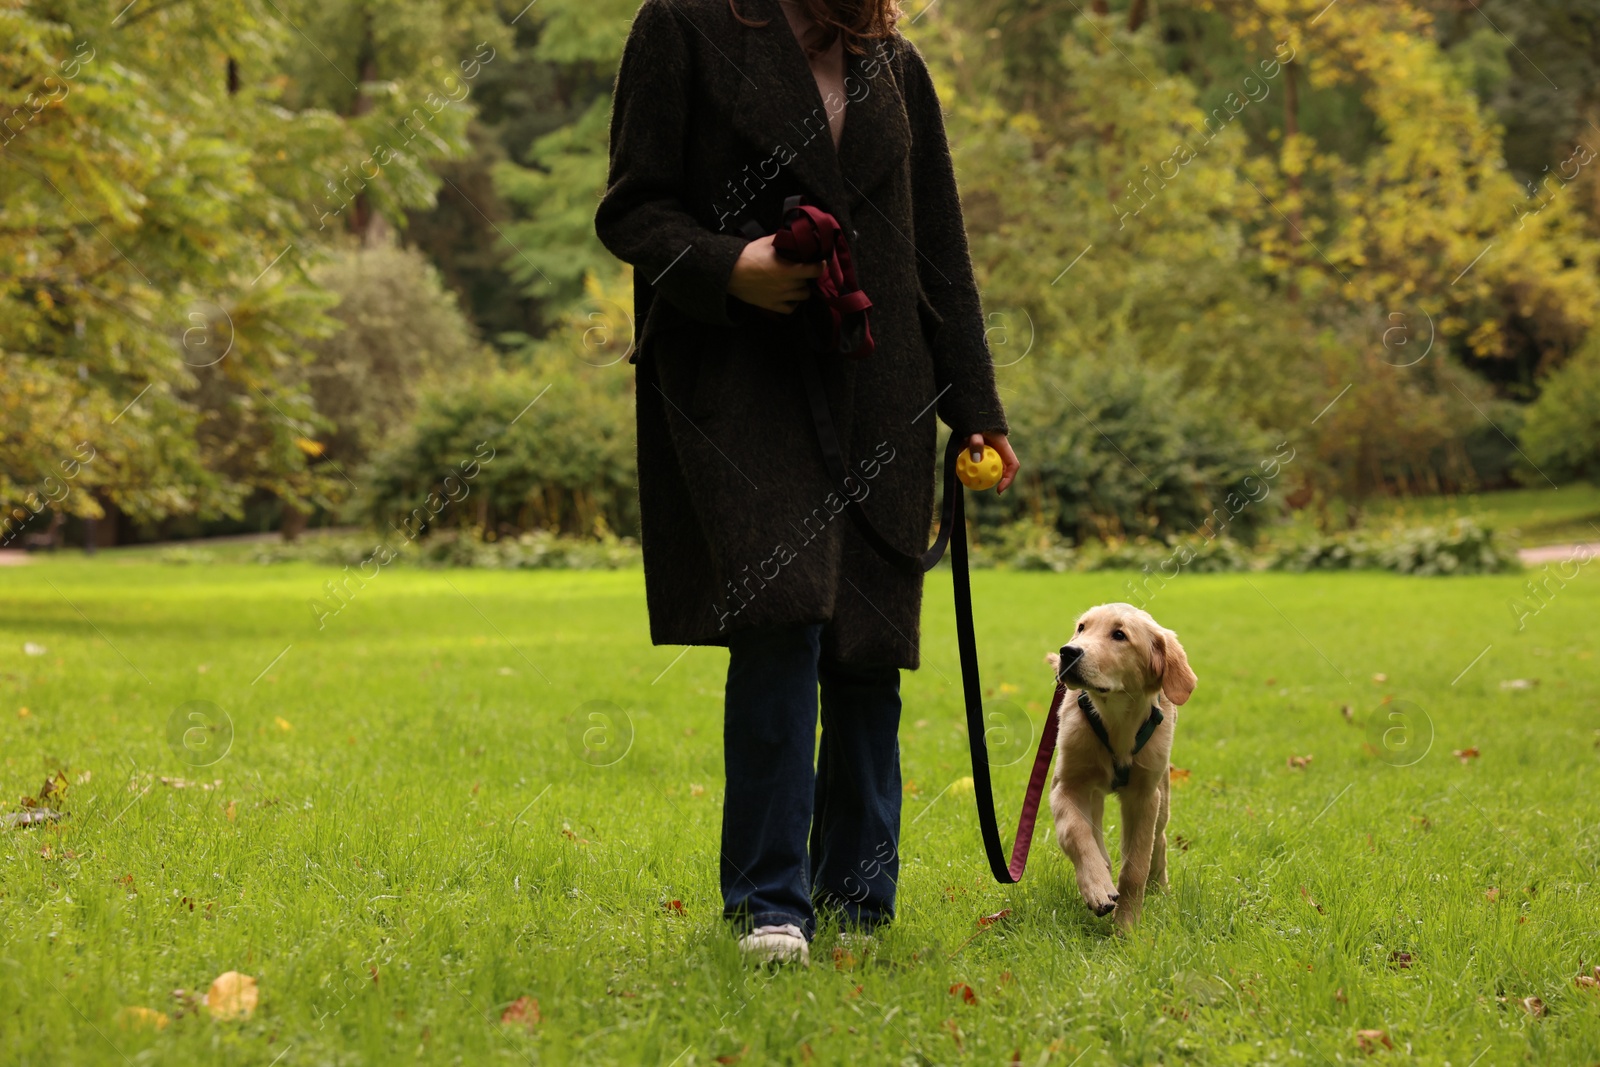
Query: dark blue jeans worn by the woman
x,y
794,837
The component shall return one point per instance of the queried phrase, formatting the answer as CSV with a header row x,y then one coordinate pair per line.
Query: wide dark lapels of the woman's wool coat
x,y
782,113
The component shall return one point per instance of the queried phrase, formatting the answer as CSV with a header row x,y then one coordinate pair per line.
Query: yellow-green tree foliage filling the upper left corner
x,y
161,225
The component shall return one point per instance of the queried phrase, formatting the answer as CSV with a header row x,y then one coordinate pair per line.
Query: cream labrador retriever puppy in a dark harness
x,y
1127,676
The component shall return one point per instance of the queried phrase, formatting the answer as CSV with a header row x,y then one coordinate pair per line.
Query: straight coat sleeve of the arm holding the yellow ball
x,y
961,353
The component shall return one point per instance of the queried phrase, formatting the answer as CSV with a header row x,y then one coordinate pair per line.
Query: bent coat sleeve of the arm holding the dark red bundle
x,y
642,218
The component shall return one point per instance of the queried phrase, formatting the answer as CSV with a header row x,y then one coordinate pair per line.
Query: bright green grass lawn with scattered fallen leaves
x,y
404,837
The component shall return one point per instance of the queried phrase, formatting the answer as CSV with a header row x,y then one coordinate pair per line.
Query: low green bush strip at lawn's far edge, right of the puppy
x,y
1462,548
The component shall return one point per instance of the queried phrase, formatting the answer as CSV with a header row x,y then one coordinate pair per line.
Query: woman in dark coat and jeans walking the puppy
x,y
721,114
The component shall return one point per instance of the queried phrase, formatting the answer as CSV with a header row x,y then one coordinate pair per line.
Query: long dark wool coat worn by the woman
x,y
714,124
